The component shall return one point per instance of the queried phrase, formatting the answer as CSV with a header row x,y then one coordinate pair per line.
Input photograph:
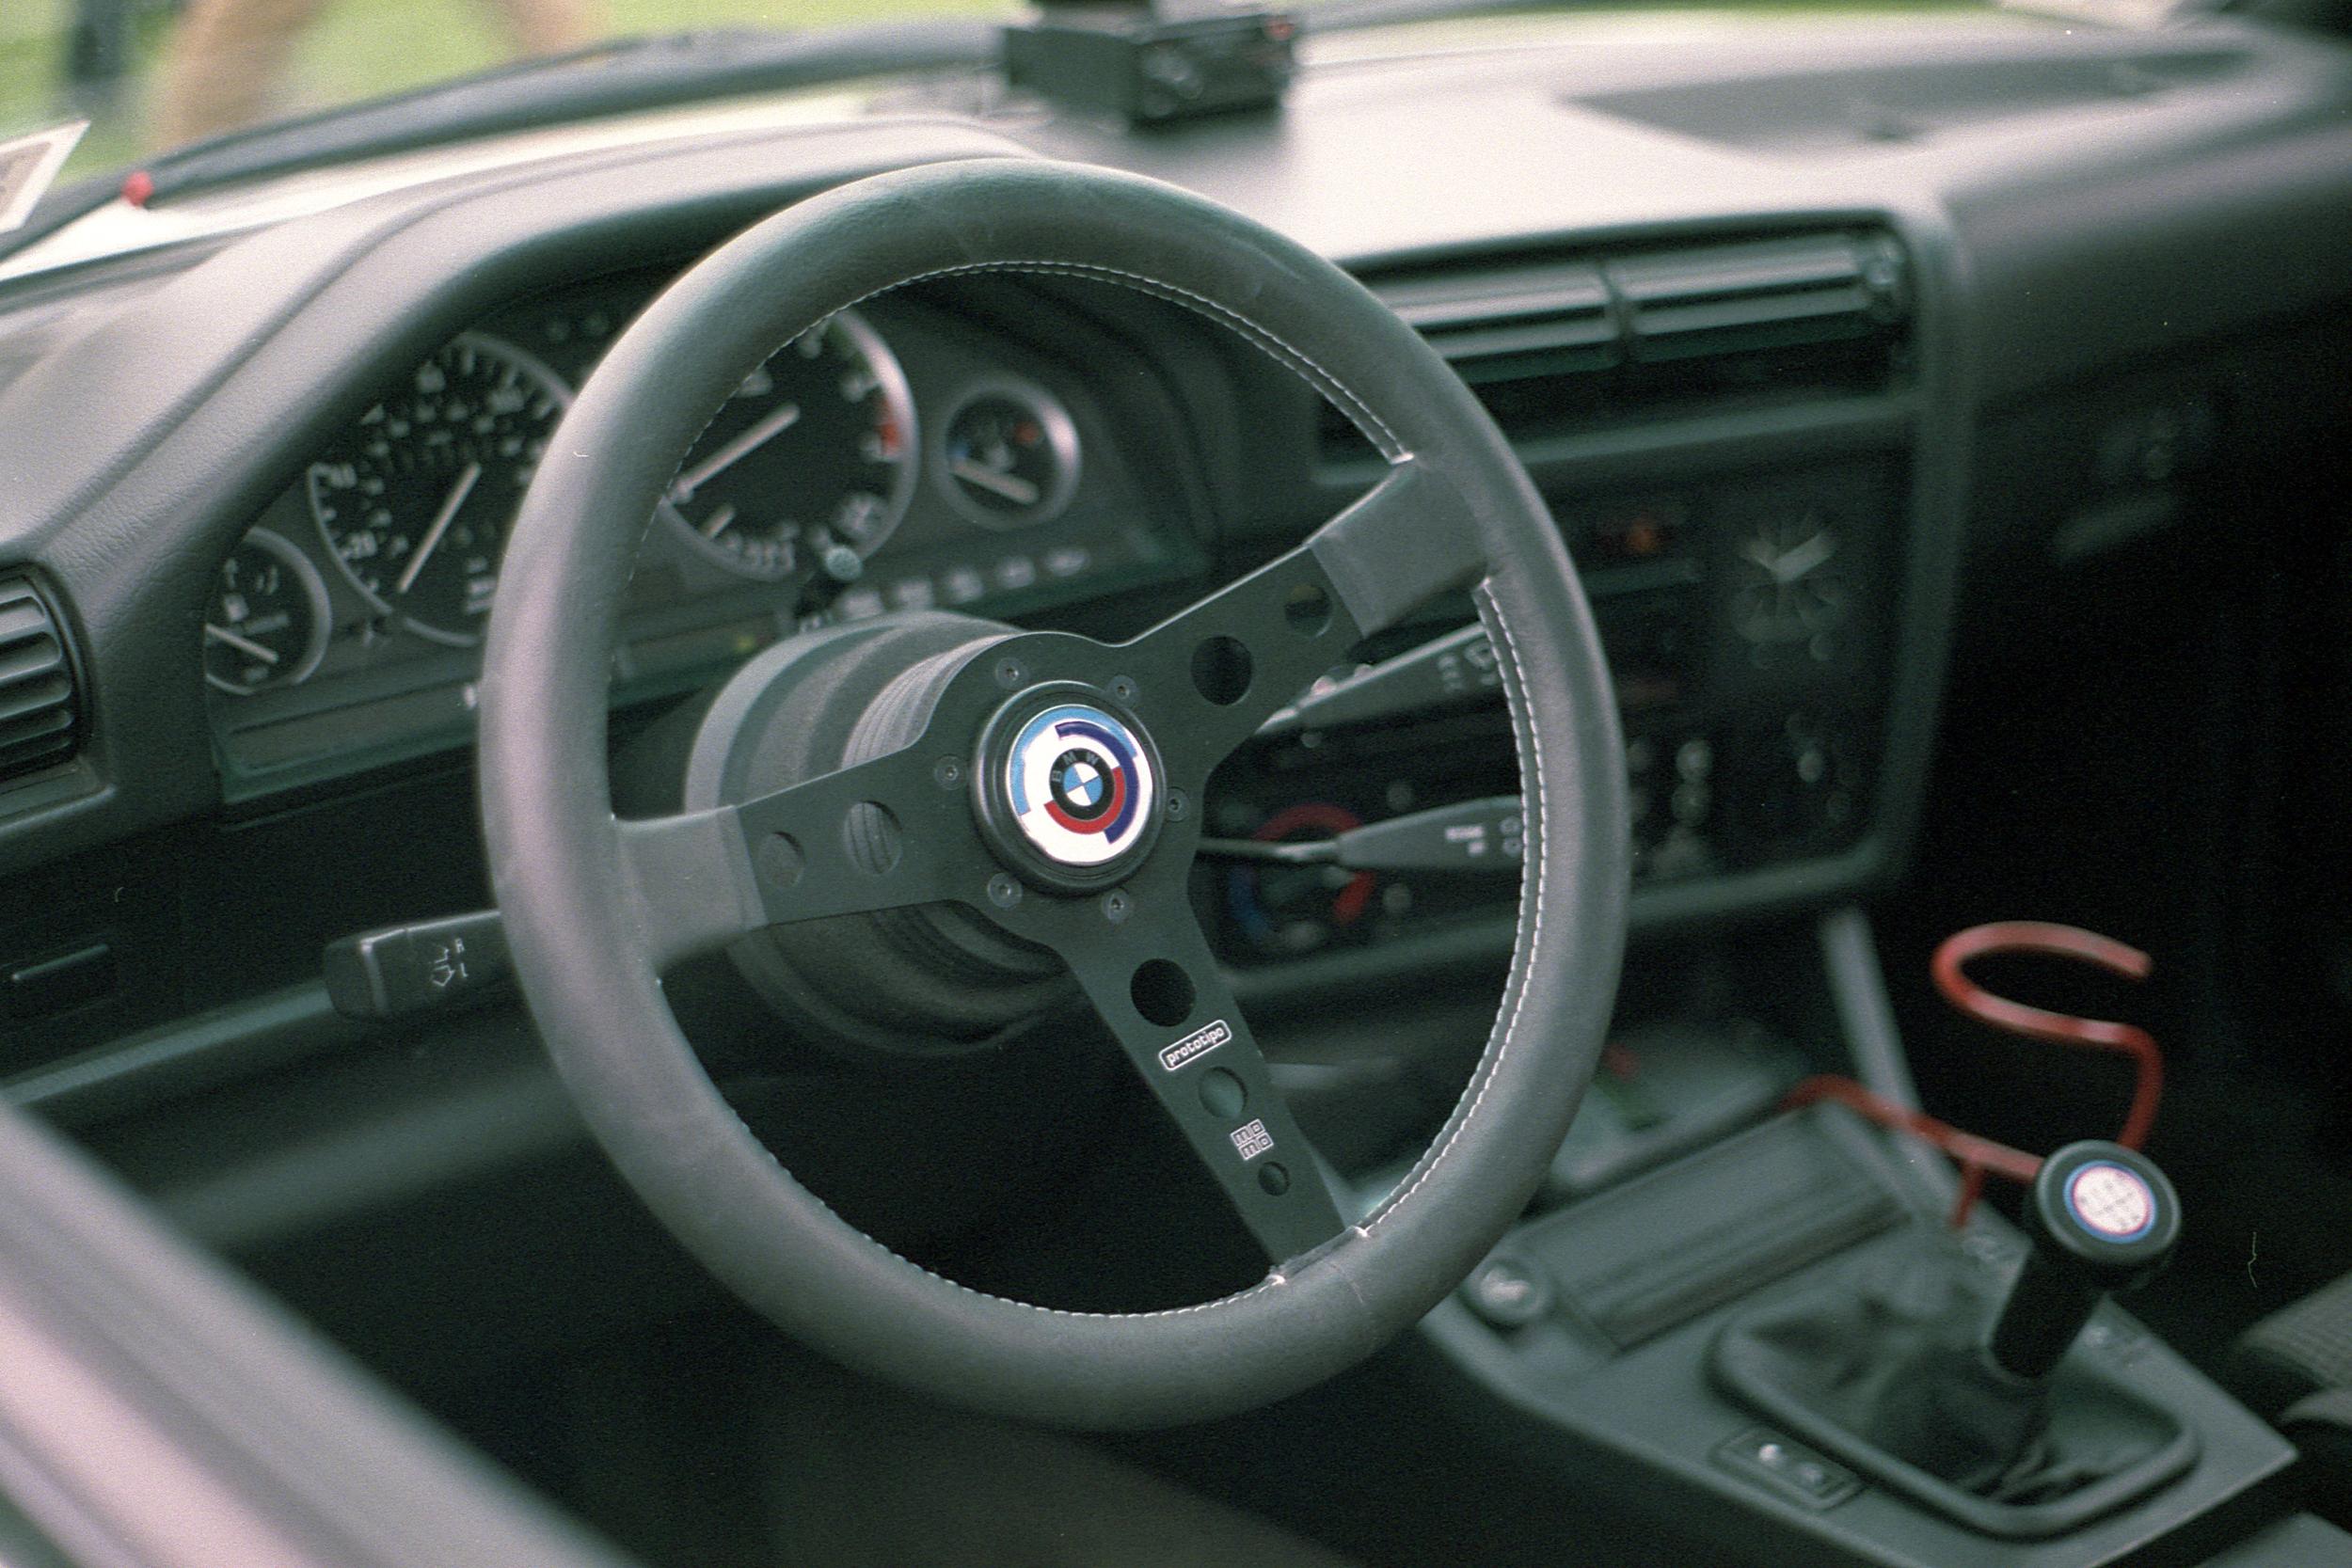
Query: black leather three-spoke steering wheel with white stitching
x,y
1050,789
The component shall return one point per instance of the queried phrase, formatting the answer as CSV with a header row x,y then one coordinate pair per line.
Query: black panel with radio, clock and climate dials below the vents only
x,y
1751,629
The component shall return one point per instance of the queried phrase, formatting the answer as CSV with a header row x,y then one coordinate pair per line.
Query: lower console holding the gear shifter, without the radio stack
x,y
1782,1339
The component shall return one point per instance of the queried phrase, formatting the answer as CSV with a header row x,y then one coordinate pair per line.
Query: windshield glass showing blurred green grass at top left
x,y
161,74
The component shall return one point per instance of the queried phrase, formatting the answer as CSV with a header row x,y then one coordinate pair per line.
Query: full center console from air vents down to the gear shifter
x,y
1758,1322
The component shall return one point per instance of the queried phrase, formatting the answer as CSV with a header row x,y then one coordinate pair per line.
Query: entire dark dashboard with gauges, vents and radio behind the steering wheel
x,y
1786,401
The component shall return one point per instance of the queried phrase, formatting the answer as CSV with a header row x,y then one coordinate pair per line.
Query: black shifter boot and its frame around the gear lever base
x,y
1887,1372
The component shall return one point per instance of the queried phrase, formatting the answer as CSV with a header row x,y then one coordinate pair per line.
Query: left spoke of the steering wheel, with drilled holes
x,y
876,836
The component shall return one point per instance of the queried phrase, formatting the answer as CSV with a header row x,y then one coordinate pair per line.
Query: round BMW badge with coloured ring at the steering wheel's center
x,y
1081,784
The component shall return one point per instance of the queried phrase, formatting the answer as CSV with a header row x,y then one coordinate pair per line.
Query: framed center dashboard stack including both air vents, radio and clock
x,y
1749,443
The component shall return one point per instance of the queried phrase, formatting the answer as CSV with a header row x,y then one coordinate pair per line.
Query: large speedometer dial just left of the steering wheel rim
x,y
417,497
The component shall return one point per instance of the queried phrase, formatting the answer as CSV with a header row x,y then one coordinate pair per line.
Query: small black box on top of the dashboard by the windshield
x,y
1154,65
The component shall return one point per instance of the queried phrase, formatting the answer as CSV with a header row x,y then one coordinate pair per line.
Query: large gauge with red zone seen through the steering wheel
x,y
815,450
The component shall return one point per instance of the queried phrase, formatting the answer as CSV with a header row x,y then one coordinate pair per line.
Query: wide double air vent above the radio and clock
x,y
1612,337
